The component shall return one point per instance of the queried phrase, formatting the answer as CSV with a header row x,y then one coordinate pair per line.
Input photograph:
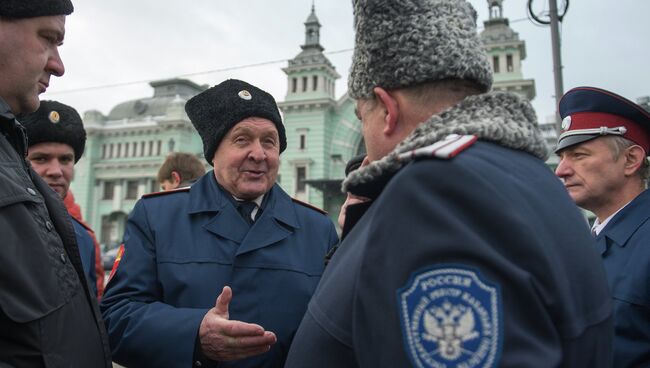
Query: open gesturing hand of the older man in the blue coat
x,y
223,339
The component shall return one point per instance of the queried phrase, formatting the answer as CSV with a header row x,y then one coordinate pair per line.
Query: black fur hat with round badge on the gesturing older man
x,y
216,110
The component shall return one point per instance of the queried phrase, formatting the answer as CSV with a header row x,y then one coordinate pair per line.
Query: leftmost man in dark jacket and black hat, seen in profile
x,y
47,315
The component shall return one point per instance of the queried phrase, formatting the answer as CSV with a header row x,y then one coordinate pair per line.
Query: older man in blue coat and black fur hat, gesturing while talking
x,y
235,237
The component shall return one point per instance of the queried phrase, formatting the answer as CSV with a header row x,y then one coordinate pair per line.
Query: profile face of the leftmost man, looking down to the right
x,y
29,55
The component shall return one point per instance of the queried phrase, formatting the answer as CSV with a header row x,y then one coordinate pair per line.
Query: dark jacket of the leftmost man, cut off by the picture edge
x,y
47,317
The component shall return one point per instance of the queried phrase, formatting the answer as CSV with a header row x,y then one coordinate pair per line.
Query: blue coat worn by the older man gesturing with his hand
x,y
182,248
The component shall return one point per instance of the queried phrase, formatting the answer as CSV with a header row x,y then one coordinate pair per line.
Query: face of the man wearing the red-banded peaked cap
x,y
590,173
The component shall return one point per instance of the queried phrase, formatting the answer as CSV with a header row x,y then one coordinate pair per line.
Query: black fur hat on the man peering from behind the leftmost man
x,y
55,122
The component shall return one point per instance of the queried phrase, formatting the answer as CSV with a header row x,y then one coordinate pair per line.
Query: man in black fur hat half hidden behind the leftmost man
x,y
56,140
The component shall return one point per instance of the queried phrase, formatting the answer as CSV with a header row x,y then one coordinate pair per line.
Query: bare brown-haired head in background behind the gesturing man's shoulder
x,y
180,169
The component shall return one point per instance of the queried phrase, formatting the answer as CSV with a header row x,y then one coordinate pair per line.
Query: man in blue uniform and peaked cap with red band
x,y
602,148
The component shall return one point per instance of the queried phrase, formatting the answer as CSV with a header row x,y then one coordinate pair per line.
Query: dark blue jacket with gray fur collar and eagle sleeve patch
x,y
478,260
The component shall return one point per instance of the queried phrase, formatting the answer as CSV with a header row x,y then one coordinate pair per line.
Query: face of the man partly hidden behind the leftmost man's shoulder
x,y
54,162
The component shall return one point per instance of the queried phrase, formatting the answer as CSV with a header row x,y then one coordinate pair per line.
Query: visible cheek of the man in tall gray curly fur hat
x,y
369,113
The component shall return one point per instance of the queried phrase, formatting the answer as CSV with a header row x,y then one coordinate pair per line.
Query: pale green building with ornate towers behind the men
x,y
125,148
